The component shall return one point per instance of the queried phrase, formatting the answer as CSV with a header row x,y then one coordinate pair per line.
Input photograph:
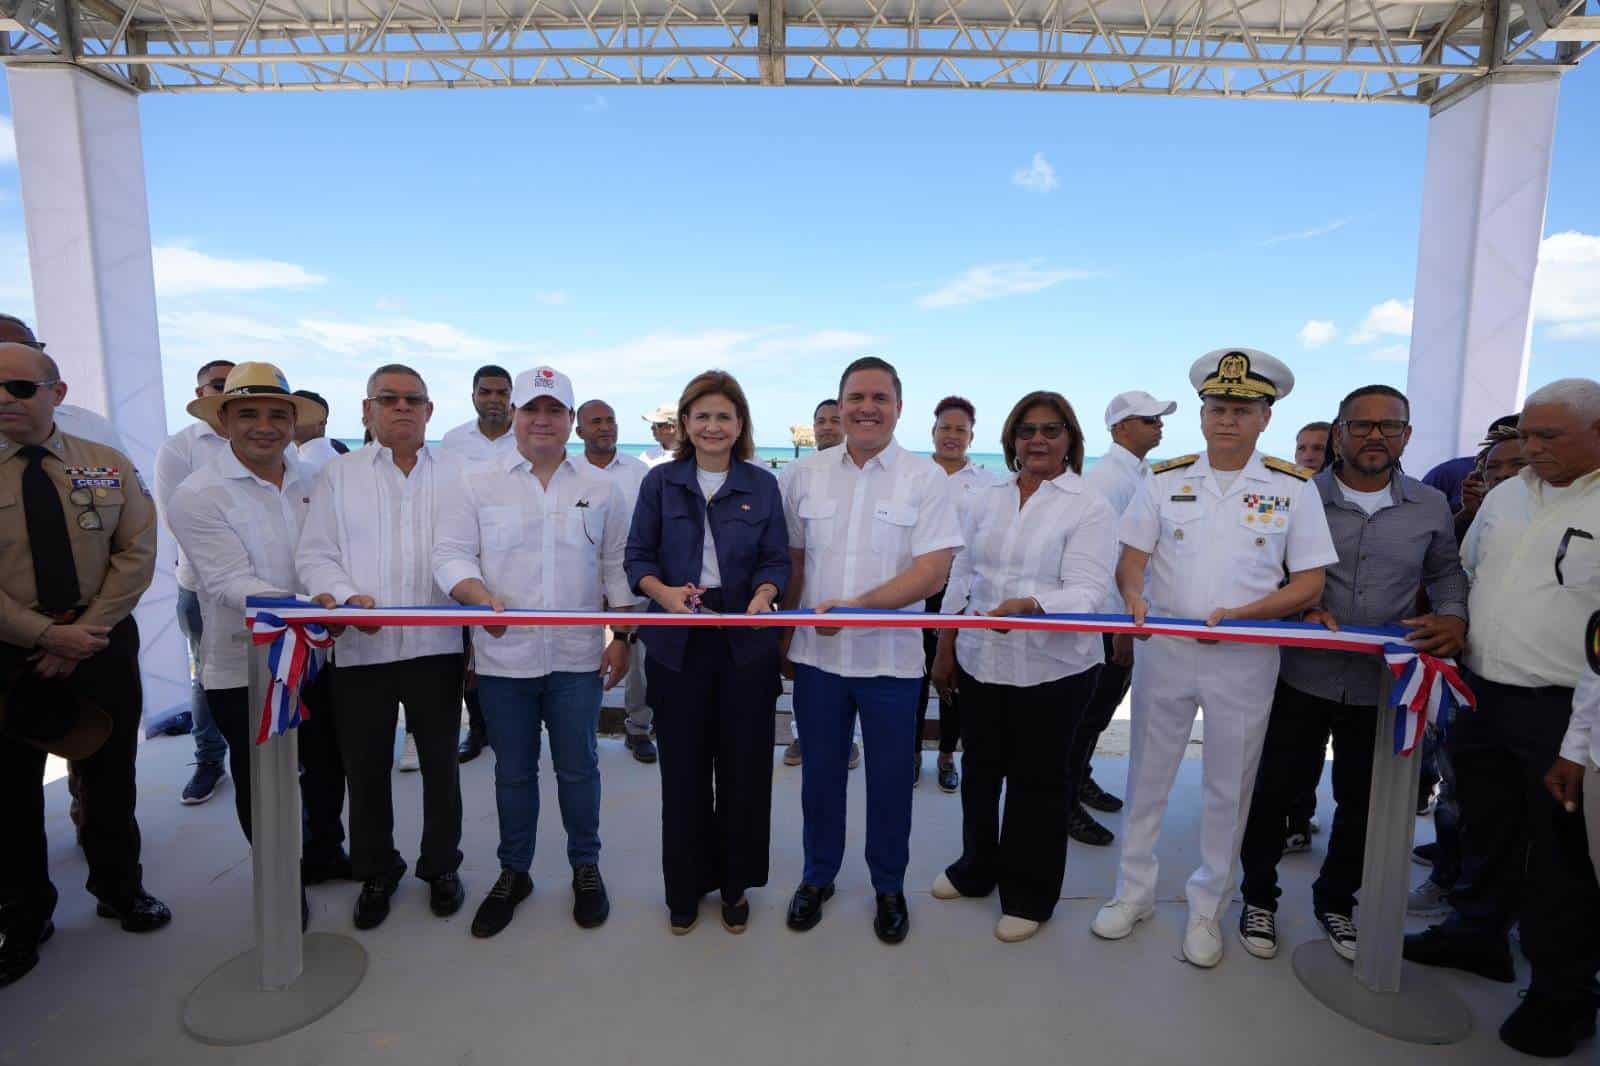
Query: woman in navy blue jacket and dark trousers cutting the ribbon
x,y
710,535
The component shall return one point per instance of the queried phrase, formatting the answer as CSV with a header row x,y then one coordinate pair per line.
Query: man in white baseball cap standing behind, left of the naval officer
x,y
1135,423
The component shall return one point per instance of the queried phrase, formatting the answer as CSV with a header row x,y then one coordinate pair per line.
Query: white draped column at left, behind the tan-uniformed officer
x,y
89,244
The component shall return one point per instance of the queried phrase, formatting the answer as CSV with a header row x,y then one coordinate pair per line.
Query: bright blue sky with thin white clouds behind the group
x,y
986,244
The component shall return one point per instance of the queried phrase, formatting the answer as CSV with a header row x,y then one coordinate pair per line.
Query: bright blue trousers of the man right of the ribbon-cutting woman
x,y
826,707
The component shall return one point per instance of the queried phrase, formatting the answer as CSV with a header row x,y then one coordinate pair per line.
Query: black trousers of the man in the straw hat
x,y
322,771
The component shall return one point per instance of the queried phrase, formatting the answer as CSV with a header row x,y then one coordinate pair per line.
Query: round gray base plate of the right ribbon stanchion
x,y
1425,1011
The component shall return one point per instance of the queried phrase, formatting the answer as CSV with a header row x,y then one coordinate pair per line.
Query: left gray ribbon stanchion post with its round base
x,y
287,980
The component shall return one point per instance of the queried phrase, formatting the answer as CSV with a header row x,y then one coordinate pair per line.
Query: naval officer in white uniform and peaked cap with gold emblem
x,y
1217,531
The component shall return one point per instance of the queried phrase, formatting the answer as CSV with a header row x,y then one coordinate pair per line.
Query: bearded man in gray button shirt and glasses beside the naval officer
x,y
1394,535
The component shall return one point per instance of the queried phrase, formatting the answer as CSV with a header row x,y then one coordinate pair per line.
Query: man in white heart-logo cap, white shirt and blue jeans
x,y
540,531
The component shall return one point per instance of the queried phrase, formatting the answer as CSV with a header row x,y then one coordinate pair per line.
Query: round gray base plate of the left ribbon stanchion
x,y
230,1008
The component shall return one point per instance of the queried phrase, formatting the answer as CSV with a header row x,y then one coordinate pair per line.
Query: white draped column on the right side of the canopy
x,y
1484,194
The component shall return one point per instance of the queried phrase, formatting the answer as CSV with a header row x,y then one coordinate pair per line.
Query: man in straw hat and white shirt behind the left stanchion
x,y
239,521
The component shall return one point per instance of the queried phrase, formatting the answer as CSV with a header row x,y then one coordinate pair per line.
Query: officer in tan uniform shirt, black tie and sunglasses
x,y
78,551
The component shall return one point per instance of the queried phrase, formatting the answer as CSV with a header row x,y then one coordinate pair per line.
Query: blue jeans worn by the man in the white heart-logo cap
x,y
569,707
